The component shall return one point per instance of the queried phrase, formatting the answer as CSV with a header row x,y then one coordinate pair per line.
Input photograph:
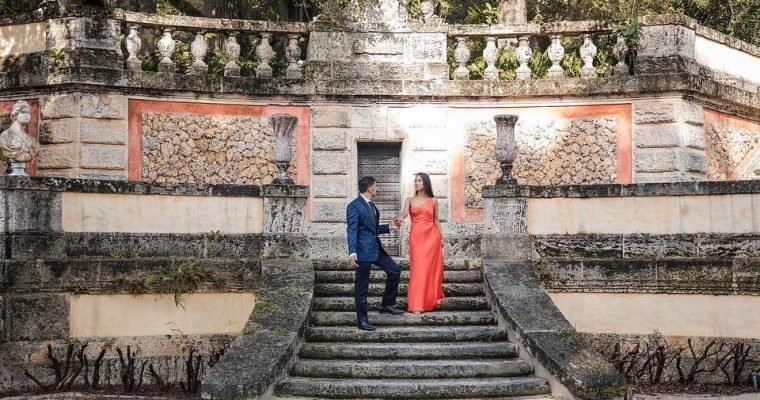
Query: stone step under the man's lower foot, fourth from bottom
x,y
407,334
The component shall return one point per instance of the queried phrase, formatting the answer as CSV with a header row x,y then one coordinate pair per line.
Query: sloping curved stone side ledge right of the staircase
x,y
515,290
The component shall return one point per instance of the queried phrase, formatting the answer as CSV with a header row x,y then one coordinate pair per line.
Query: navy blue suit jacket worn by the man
x,y
362,228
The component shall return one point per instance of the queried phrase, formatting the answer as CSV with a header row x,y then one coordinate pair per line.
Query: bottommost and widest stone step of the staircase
x,y
412,388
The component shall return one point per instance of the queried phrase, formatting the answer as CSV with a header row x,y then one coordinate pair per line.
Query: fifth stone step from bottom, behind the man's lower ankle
x,y
325,318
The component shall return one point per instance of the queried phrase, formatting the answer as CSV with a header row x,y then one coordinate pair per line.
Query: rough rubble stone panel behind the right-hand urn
x,y
551,152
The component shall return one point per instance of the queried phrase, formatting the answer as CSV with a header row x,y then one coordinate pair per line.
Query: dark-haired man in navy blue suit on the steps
x,y
365,249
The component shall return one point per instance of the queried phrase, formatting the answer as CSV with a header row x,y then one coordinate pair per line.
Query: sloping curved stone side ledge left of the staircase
x,y
258,358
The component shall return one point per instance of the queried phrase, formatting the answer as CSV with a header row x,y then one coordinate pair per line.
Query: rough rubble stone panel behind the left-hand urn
x,y
189,148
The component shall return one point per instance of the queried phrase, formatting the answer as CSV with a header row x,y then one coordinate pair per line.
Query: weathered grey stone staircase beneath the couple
x,y
457,351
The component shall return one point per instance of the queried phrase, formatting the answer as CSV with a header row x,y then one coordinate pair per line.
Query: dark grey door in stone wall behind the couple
x,y
383,162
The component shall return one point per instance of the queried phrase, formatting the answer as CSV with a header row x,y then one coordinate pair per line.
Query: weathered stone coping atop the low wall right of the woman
x,y
627,190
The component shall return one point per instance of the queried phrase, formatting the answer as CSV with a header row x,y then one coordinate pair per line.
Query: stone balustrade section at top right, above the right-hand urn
x,y
557,40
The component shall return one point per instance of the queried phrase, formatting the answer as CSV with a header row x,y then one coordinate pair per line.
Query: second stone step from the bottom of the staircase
x,y
411,369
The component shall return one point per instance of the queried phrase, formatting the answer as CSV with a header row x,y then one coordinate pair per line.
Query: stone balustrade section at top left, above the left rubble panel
x,y
215,41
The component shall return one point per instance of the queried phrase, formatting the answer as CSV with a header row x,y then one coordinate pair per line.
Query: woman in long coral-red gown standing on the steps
x,y
425,247
